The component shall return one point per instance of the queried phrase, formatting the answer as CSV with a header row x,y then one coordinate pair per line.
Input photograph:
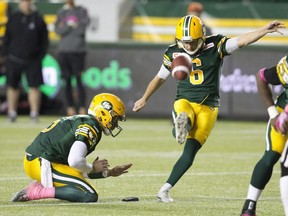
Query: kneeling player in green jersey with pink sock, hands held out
x,y
56,159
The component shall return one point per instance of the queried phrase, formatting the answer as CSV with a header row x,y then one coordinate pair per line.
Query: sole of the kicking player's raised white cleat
x,y
181,131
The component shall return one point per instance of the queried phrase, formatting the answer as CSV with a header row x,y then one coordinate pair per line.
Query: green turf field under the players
x,y
215,186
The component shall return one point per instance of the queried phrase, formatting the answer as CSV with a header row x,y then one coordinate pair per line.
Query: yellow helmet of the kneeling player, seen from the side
x,y
108,109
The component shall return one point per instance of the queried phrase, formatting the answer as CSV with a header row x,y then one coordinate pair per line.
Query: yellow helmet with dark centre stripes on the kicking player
x,y
190,34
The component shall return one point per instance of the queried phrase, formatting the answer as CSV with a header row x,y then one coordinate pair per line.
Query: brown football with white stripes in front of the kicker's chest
x,y
181,66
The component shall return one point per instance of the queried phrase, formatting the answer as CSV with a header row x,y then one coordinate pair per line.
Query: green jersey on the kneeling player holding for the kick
x,y
54,142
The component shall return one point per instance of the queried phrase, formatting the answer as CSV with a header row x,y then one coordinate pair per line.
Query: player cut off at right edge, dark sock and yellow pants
x,y
275,140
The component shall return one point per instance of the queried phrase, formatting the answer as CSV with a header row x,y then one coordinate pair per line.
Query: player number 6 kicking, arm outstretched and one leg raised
x,y
197,100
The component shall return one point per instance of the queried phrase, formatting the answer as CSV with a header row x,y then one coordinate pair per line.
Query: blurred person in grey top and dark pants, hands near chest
x,y
71,25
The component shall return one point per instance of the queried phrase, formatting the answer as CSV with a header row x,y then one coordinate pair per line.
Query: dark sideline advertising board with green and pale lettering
x,y
126,70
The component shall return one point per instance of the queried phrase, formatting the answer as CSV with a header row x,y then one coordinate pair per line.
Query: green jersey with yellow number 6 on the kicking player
x,y
203,84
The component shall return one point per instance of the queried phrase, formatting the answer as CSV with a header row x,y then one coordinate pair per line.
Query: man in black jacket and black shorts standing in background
x,y
25,44
